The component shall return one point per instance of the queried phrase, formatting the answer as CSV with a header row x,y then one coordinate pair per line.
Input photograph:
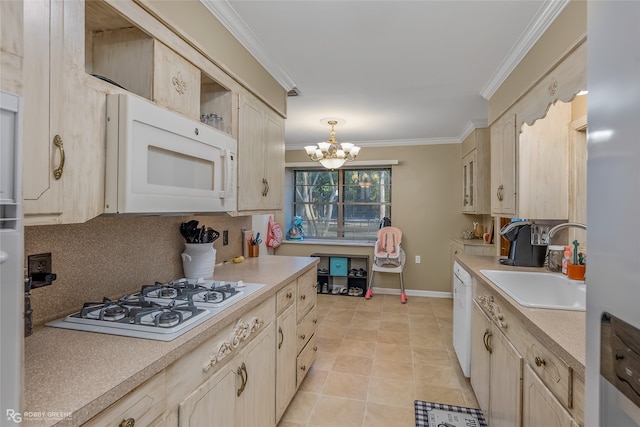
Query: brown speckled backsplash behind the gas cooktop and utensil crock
x,y
114,255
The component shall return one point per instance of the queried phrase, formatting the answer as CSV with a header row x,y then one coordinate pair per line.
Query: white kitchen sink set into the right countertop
x,y
540,290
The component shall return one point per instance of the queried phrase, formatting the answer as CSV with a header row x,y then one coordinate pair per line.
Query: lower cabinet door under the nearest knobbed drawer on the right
x,y
540,407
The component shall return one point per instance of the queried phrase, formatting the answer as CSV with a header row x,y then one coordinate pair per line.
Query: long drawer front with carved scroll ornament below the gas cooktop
x,y
188,372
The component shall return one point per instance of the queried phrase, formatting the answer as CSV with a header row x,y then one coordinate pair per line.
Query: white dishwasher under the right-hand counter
x,y
462,300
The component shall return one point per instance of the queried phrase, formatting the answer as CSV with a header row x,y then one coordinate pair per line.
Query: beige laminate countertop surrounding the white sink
x,y
562,331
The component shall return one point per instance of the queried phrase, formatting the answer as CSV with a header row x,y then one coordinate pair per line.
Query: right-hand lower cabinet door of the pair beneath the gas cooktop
x,y
257,400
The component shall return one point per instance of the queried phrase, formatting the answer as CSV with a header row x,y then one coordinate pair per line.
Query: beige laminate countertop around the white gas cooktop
x,y
82,373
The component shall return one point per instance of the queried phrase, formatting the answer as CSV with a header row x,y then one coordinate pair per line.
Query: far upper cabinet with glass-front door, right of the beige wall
x,y
476,172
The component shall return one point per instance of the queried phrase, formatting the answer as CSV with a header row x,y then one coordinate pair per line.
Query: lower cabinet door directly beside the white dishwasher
x,y
480,357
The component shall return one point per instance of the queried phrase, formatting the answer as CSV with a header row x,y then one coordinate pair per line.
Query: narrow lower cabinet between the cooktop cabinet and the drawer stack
x,y
286,349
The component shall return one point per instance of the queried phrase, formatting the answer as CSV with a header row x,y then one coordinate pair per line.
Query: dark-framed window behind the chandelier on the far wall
x,y
342,204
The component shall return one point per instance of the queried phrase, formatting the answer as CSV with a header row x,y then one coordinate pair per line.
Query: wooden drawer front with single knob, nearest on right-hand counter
x,y
554,373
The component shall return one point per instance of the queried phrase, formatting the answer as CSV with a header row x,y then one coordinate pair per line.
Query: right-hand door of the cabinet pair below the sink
x,y
505,389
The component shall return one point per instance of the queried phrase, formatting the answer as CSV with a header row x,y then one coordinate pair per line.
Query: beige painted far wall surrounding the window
x,y
426,205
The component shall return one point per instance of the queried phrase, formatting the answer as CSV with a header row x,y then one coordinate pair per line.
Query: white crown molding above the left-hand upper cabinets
x,y
227,15
